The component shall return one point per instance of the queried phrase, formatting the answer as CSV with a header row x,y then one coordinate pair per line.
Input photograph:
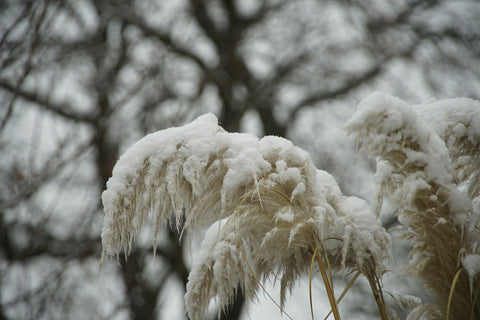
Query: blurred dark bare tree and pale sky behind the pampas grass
x,y
82,80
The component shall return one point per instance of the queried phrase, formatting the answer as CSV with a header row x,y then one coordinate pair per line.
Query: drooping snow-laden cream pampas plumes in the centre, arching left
x,y
267,207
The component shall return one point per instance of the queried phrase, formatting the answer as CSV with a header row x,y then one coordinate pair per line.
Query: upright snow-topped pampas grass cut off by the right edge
x,y
428,163
